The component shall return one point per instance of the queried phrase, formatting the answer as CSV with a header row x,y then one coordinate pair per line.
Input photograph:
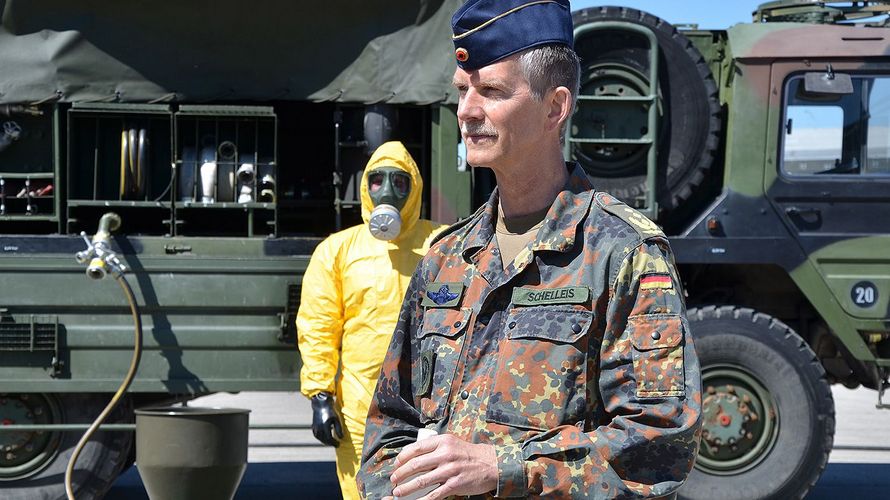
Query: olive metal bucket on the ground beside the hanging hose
x,y
187,453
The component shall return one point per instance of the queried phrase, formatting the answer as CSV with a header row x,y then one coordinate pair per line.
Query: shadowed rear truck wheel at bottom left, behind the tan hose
x,y
100,461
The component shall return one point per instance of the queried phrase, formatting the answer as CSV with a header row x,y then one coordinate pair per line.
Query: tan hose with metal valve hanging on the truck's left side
x,y
100,258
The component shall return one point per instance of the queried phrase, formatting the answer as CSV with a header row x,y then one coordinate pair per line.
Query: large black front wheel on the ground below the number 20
x,y
767,408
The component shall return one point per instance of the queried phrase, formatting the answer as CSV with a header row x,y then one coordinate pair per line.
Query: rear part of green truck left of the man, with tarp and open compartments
x,y
229,142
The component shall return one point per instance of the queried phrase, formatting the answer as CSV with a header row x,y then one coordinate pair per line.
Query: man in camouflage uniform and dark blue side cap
x,y
544,339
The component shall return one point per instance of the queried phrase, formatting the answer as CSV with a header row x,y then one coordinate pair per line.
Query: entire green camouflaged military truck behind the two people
x,y
230,142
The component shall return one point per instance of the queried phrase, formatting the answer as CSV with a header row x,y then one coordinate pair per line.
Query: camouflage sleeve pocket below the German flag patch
x,y
658,354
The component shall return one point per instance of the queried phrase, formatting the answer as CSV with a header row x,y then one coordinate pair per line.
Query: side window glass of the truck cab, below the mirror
x,y
837,134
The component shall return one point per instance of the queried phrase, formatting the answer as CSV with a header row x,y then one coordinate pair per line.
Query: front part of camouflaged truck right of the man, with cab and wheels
x,y
764,154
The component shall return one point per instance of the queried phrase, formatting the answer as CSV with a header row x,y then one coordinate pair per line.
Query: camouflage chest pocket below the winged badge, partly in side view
x,y
441,341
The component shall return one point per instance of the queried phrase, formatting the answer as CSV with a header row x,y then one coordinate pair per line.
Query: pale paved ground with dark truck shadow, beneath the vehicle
x,y
289,464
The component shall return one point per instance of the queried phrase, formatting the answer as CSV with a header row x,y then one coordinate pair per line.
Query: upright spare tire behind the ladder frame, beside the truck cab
x,y
616,63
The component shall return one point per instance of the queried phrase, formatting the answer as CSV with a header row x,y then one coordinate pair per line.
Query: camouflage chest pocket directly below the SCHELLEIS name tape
x,y
542,368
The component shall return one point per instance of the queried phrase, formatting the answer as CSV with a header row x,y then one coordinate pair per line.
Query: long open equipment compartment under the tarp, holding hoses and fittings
x,y
74,162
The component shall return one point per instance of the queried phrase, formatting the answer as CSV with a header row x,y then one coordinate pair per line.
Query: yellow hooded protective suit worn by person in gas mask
x,y
351,295
